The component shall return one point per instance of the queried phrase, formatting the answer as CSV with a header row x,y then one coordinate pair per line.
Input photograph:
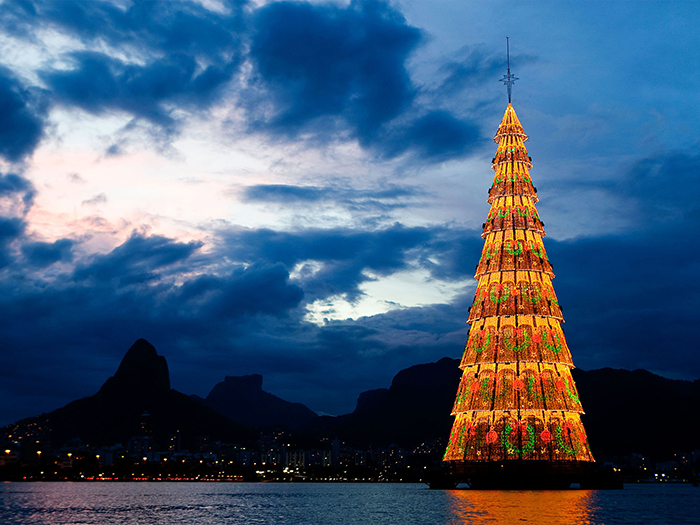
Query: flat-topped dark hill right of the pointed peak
x,y
242,400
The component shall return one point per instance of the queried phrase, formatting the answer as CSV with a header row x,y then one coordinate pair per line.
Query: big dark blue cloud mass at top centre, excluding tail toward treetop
x,y
332,61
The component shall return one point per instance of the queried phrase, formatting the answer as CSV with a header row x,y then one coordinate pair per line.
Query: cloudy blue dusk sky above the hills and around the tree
x,y
297,188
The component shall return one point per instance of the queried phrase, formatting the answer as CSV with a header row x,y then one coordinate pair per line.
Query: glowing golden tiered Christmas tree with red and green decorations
x,y
516,400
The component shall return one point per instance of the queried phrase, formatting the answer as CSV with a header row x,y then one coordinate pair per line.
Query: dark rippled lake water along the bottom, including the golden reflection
x,y
338,504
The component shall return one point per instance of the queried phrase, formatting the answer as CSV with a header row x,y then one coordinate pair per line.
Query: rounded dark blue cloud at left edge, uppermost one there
x,y
22,114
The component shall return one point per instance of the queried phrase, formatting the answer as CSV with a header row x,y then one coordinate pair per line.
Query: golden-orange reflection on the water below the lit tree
x,y
542,507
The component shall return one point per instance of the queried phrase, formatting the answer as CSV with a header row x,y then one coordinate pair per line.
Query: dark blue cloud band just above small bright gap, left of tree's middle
x,y
346,254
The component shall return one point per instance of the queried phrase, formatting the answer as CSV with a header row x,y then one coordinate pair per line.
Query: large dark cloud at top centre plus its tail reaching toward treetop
x,y
342,69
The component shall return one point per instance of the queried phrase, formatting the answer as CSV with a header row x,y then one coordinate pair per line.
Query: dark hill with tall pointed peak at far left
x,y
117,411
